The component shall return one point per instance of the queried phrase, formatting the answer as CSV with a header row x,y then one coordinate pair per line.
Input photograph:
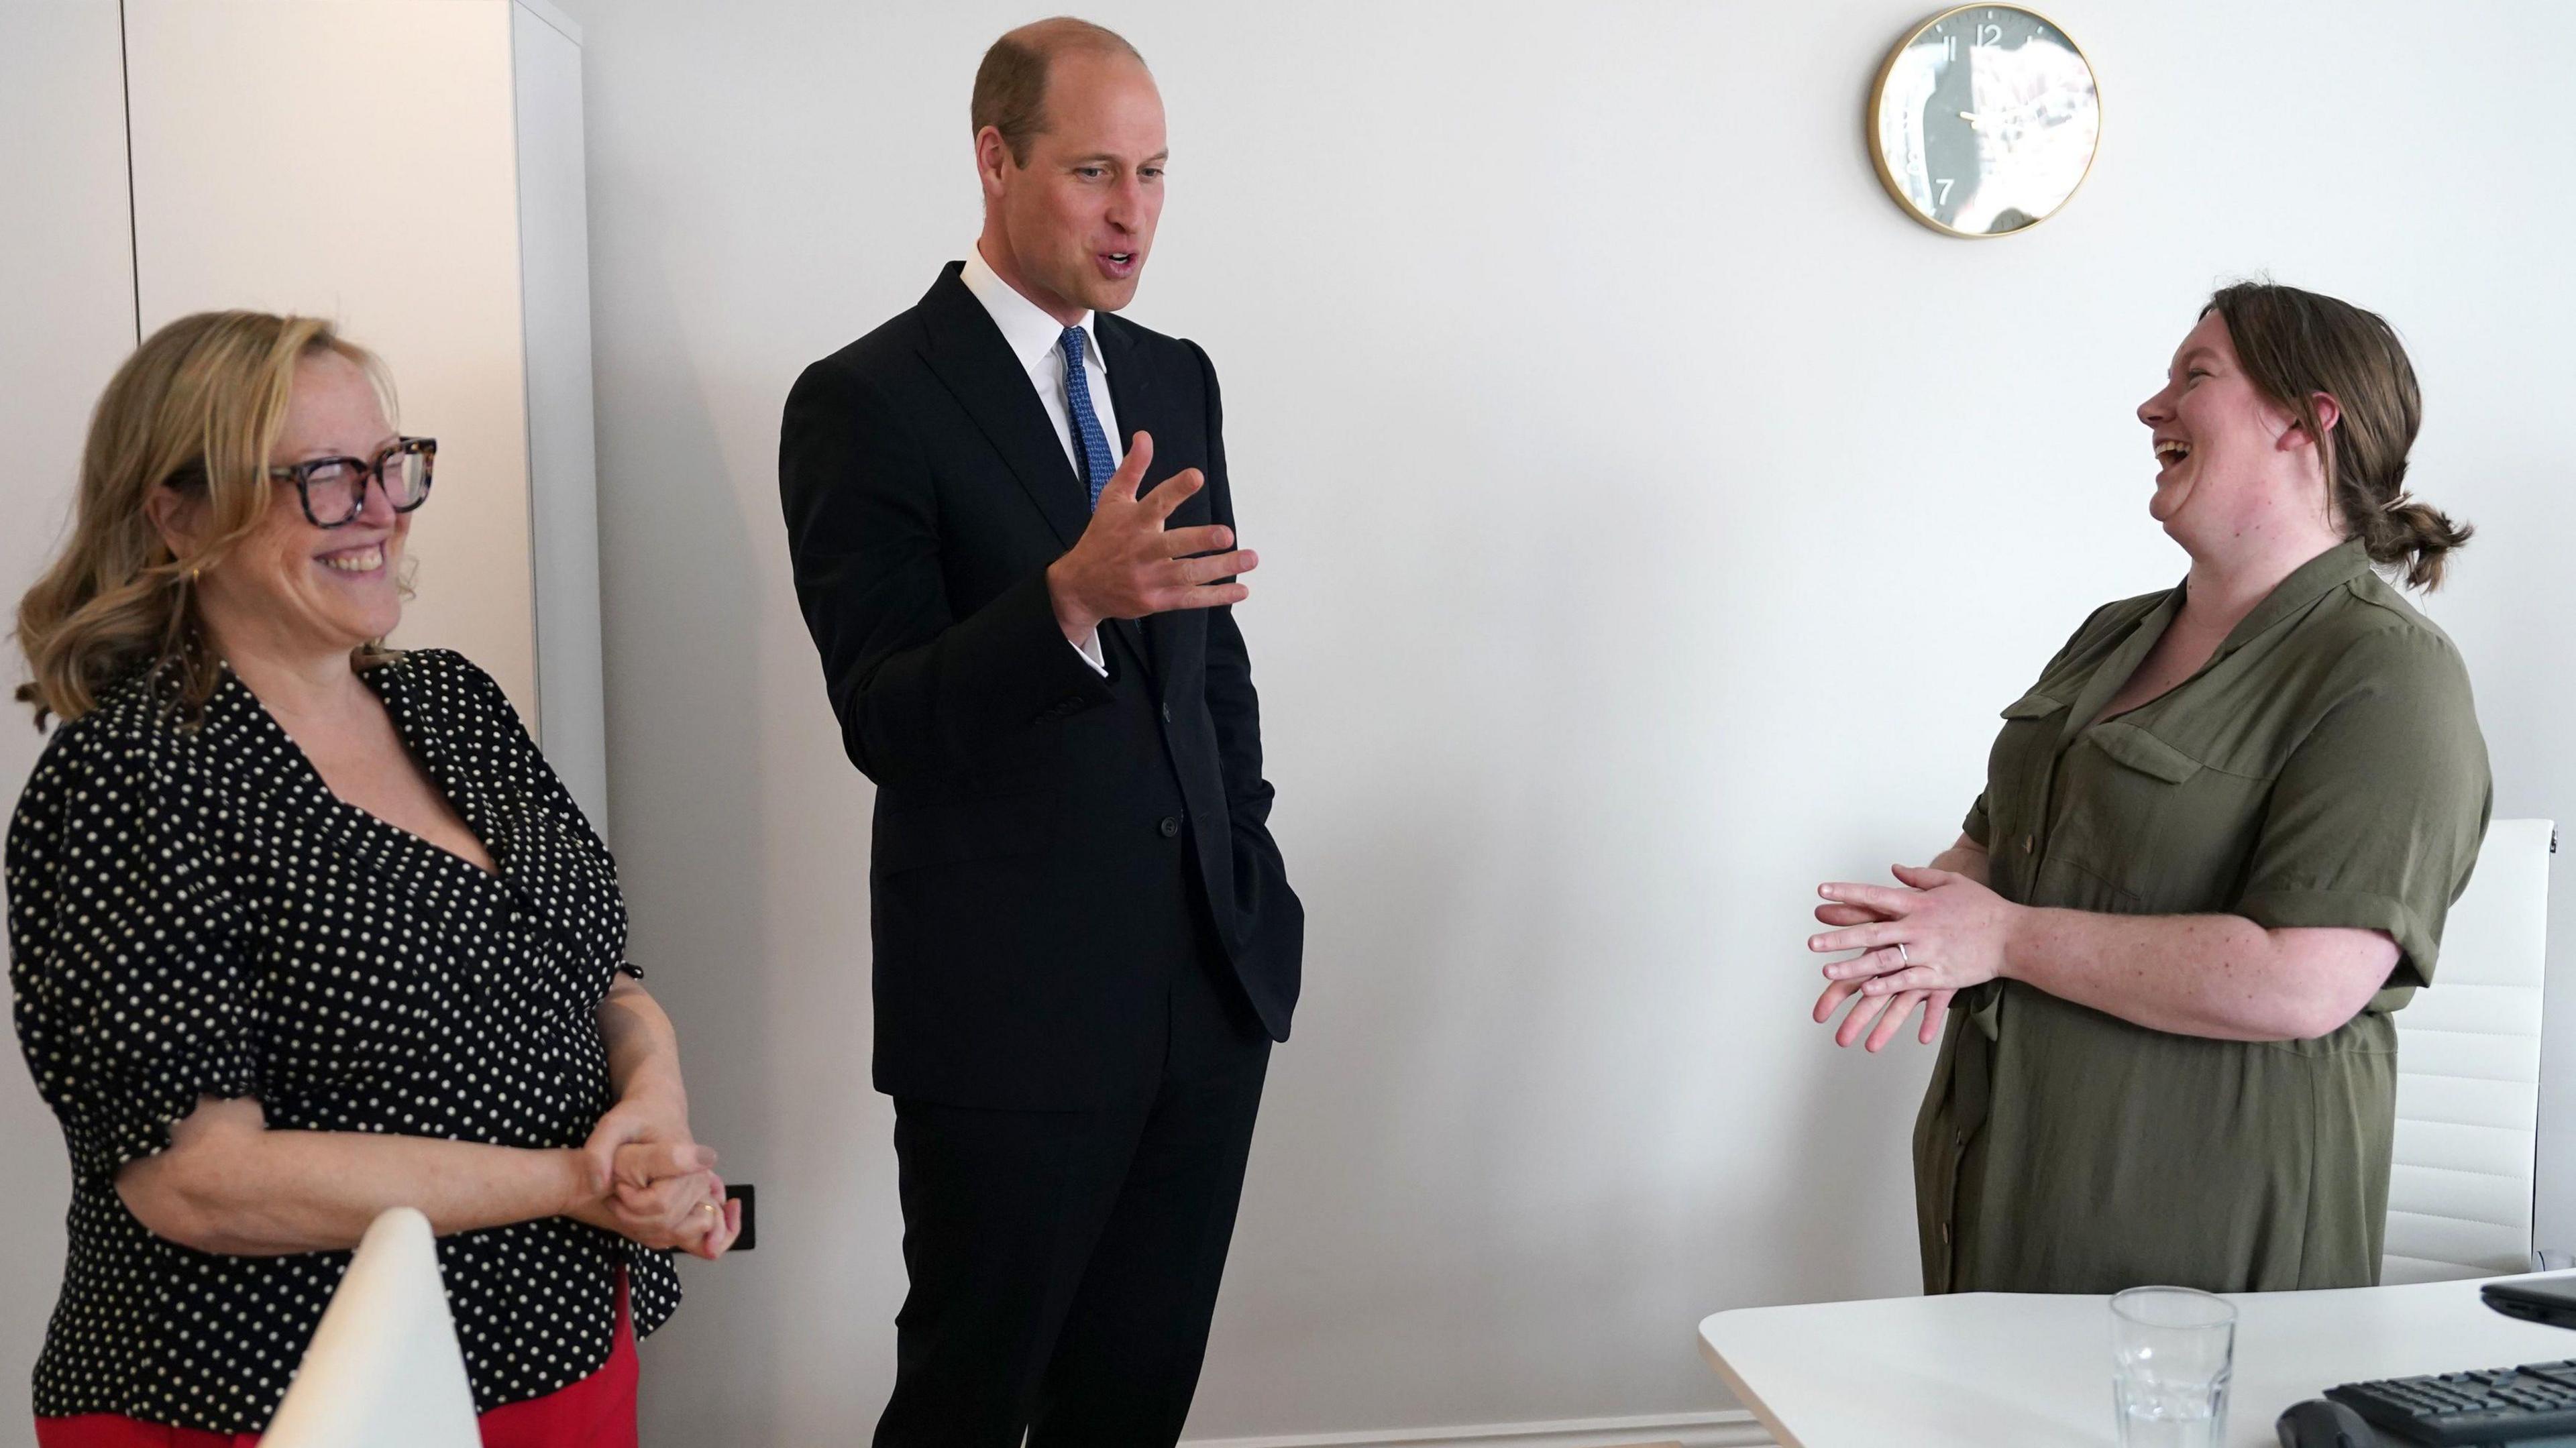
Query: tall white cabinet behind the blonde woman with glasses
x,y
411,169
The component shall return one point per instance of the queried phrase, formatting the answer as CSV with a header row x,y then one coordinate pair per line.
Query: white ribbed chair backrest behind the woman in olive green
x,y
2469,1076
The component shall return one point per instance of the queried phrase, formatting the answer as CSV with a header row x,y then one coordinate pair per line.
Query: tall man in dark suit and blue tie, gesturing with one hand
x,y
1086,939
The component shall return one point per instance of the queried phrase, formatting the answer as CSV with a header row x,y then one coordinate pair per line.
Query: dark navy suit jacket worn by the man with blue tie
x,y
1047,841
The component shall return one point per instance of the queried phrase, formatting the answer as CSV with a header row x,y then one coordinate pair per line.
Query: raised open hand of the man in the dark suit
x,y
1130,566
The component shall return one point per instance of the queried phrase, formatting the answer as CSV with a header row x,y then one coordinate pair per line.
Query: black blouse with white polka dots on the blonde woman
x,y
194,913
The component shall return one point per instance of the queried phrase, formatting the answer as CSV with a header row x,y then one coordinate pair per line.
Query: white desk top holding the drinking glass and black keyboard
x,y
2011,1369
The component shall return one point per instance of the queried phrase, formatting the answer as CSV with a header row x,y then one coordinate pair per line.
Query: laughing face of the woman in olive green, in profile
x,y
2227,457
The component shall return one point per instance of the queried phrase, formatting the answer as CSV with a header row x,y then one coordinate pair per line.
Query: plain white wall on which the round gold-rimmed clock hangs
x,y
1653,527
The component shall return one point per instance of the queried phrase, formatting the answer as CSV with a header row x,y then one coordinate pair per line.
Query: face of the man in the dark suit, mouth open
x,y
1078,220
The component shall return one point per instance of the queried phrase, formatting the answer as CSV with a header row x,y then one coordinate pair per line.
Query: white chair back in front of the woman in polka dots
x,y
385,1369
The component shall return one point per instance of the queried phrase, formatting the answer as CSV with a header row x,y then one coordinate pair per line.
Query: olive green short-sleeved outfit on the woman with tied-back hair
x,y
2322,769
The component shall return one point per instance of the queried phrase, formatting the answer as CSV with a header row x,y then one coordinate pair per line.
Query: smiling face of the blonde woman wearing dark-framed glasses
x,y
290,584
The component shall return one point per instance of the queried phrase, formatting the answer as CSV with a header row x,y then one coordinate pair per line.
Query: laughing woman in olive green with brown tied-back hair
x,y
2217,846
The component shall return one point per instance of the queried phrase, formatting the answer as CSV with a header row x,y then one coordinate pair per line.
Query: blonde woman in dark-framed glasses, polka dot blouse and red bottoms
x,y
305,929
